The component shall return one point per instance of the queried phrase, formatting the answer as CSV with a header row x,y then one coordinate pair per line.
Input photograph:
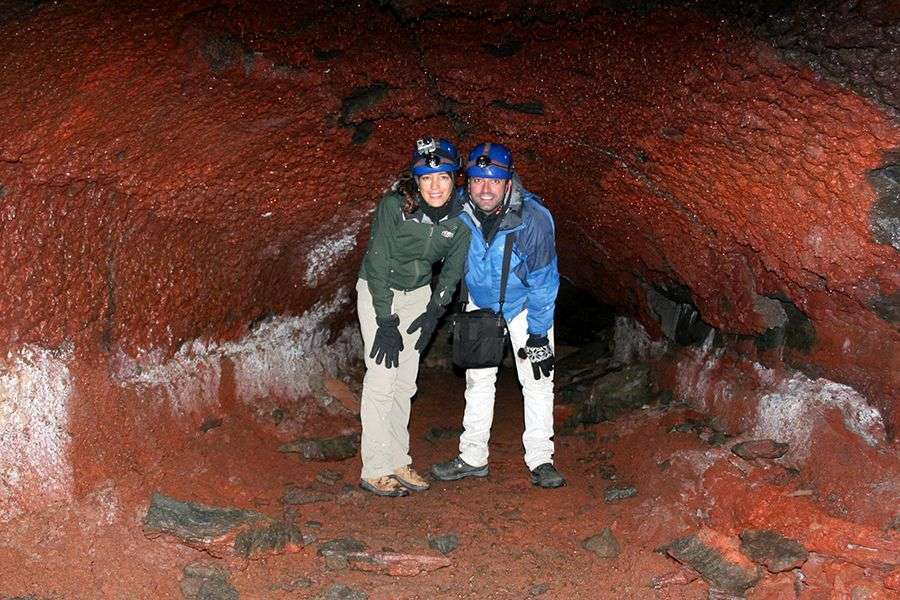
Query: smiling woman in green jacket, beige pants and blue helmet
x,y
415,227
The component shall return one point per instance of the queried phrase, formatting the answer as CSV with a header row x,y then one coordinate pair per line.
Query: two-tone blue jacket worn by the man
x,y
533,274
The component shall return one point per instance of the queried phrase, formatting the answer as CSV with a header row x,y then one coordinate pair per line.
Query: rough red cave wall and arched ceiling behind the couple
x,y
185,192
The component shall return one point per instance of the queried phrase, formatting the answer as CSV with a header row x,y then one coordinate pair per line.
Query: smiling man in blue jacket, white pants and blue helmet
x,y
497,206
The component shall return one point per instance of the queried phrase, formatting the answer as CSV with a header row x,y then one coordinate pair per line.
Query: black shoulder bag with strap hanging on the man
x,y
479,336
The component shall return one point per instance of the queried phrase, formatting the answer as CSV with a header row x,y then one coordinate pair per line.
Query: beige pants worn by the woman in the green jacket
x,y
386,395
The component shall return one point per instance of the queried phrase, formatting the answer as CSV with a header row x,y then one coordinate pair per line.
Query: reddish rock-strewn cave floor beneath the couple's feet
x,y
653,474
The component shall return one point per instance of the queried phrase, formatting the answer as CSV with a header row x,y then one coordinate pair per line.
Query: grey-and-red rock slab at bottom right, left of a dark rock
x,y
718,560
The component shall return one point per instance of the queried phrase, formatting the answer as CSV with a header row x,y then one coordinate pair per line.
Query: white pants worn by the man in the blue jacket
x,y
479,414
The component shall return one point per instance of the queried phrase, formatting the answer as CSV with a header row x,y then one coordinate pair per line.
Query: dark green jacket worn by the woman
x,y
403,248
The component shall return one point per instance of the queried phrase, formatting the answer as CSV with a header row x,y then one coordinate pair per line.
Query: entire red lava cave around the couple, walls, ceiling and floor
x,y
186,191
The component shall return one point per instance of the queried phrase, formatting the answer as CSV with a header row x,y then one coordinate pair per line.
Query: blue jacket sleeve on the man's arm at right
x,y
539,247
